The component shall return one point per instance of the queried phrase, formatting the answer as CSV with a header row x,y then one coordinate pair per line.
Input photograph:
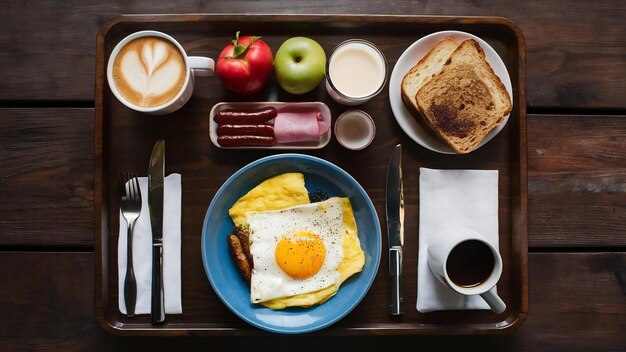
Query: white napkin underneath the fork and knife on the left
x,y
142,250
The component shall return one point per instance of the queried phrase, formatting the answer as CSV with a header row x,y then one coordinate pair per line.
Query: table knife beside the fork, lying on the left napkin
x,y
156,172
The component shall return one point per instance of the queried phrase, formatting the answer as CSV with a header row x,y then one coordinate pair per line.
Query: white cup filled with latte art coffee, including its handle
x,y
150,72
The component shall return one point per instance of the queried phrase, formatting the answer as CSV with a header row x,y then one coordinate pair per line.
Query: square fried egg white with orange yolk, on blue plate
x,y
305,241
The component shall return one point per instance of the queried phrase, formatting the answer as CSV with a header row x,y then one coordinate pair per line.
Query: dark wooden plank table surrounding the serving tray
x,y
576,103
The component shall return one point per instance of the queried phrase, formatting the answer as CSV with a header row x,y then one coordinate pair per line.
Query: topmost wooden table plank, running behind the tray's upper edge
x,y
569,47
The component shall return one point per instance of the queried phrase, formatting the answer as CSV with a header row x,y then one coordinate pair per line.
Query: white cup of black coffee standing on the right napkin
x,y
467,263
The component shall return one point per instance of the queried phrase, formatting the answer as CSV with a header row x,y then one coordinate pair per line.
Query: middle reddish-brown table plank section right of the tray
x,y
577,180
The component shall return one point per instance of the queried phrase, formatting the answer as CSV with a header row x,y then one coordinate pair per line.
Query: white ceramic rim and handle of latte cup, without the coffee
x,y
194,65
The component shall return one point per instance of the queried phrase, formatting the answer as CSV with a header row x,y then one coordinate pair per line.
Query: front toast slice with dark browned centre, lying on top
x,y
466,100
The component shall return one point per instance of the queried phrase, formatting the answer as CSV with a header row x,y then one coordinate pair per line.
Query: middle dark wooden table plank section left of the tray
x,y
46,186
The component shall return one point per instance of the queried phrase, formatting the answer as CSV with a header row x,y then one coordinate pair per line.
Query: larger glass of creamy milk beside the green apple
x,y
355,72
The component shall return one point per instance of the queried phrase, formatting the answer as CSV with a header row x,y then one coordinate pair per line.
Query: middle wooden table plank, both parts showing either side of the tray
x,y
583,167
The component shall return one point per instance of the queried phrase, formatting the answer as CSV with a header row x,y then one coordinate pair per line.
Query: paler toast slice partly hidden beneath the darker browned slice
x,y
424,70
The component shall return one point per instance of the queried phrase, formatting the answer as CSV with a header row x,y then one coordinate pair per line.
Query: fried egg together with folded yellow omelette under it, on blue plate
x,y
300,249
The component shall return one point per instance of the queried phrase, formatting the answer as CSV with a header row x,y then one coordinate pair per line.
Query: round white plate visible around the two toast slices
x,y
411,56
